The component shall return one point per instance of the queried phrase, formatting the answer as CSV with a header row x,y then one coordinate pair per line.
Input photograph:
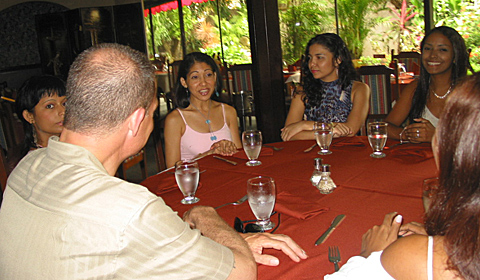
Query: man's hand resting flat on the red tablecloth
x,y
260,241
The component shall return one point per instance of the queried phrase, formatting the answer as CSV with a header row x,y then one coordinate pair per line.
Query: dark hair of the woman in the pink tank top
x,y
182,96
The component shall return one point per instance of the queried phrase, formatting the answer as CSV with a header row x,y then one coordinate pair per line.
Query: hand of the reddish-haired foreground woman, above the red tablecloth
x,y
379,237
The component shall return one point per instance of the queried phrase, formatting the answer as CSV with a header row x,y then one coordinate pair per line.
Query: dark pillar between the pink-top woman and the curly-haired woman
x,y
267,68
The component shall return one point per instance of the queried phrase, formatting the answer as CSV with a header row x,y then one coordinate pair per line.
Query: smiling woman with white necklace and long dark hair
x,y
444,61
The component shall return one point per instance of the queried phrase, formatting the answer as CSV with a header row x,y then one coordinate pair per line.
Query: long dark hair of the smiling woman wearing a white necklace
x,y
459,69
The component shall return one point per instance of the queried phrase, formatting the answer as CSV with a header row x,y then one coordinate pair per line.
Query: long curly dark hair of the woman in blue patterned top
x,y
346,72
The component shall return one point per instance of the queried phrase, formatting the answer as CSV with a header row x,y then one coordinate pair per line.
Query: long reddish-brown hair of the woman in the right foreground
x,y
455,209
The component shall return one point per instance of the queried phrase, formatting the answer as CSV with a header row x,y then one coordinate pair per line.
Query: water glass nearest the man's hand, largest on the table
x,y
261,197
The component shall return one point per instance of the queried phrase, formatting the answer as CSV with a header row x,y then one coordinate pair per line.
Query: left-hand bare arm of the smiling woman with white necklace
x,y
400,111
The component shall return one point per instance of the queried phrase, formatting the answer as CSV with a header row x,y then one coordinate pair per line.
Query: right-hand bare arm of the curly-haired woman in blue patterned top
x,y
356,118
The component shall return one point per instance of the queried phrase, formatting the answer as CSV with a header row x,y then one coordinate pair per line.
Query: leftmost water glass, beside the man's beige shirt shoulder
x,y
187,176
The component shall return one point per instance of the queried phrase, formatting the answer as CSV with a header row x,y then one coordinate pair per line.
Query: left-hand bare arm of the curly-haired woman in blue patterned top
x,y
295,127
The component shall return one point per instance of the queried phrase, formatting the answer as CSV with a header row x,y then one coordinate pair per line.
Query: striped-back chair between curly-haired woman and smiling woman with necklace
x,y
378,78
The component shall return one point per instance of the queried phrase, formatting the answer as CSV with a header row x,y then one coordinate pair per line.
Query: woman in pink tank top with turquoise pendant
x,y
200,125
